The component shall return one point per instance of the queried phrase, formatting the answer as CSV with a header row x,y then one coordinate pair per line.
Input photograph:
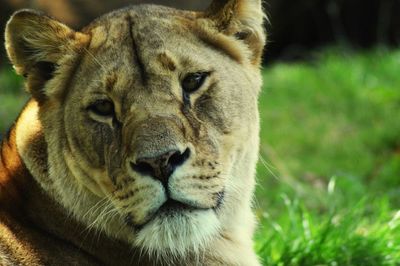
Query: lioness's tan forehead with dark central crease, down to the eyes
x,y
144,40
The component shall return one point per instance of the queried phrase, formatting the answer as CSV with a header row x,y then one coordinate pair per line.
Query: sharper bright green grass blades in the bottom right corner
x,y
363,234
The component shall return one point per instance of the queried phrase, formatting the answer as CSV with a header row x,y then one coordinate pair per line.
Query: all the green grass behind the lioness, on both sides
x,y
329,171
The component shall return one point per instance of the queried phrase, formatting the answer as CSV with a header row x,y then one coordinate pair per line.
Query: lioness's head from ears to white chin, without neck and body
x,y
153,111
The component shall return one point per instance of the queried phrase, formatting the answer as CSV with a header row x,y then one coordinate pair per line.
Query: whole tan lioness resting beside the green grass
x,y
139,144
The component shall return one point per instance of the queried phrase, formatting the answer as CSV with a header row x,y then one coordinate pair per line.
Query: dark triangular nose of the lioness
x,y
162,166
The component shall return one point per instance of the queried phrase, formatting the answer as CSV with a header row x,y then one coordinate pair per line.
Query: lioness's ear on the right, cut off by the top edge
x,y
242,19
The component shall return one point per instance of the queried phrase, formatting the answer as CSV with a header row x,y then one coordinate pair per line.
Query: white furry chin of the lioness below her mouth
x,y
178,233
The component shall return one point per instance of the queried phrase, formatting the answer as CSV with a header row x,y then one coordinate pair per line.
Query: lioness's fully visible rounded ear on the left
x,y
35,44
